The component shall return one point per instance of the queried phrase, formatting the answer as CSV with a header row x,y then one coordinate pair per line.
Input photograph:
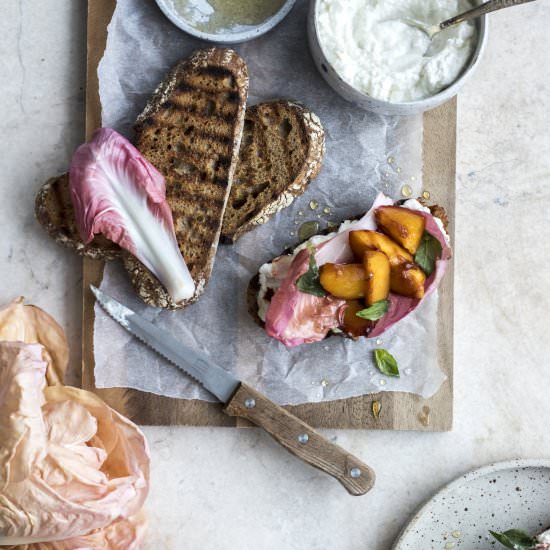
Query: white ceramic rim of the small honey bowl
x,y
168,9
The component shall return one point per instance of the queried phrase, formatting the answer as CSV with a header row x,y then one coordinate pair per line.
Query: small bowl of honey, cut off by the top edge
x,y
226,21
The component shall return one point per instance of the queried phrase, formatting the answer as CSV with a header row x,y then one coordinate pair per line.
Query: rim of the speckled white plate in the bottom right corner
x,y
466,478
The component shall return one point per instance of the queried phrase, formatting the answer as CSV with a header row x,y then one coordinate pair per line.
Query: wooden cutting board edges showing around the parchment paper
x,y
399,411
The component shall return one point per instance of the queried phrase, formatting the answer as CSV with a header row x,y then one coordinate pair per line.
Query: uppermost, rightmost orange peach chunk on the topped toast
x,y
403,225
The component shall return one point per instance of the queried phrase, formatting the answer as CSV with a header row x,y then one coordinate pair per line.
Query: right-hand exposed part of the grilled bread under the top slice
x,y
281,151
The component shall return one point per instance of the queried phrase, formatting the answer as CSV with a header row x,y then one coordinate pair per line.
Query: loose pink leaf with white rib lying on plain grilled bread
x,y
116,192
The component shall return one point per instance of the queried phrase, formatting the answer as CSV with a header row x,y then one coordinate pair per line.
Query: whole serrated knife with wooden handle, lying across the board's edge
x,y
245,402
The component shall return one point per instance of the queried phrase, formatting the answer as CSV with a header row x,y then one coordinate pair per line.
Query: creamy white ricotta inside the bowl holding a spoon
x,y
373,50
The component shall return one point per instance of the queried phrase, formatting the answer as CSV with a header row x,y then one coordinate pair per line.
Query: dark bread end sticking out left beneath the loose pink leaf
x,y
54,210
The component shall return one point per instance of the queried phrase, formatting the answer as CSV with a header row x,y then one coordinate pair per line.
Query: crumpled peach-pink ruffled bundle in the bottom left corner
x,y
73,472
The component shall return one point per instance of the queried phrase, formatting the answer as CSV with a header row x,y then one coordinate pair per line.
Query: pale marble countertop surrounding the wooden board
x,y
218,489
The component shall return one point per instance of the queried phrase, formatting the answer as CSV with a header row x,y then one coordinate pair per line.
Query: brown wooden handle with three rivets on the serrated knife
x,y
301,440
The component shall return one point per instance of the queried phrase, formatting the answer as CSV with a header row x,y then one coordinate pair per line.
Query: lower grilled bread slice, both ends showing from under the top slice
x,y
282,142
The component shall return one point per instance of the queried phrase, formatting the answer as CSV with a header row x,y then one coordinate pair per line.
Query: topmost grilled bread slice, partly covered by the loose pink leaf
x,y
190,130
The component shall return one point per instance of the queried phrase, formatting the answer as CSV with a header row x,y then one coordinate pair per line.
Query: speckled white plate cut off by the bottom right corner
x,y
501,496
